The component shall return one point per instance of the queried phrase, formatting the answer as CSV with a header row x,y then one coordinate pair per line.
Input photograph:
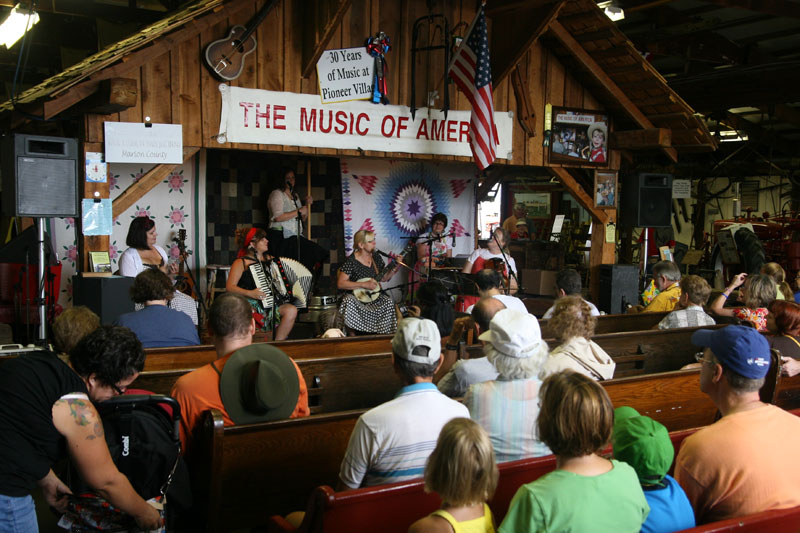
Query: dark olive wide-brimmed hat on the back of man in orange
x,y
259,383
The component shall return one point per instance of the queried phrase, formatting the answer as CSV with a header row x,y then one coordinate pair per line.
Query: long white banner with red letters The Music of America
x,y
268,117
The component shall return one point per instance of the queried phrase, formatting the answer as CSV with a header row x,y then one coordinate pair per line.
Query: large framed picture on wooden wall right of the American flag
x,y
579,136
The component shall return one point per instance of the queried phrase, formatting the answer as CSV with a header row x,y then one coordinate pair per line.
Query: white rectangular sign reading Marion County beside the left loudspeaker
x,y
137,142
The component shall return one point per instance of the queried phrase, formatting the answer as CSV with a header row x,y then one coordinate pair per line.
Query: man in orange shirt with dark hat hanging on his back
x,y
248,383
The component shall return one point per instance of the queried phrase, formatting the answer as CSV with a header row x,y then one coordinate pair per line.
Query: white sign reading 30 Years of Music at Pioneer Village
x,y
345,75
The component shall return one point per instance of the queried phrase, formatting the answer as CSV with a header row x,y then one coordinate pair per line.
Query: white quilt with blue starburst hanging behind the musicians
x,y
397,199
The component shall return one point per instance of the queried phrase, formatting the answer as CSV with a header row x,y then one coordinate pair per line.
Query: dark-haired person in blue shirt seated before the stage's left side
x,y
156,325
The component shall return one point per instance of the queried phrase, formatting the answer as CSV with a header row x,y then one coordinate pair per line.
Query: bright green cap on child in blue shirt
x,y
643,443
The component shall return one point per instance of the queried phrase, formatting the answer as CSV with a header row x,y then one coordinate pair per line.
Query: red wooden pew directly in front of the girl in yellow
x,y
393,508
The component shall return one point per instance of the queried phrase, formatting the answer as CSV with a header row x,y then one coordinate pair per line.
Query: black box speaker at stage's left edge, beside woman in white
x,y
108,296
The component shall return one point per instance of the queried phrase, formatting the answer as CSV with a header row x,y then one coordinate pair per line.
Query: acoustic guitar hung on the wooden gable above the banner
x,y
225,57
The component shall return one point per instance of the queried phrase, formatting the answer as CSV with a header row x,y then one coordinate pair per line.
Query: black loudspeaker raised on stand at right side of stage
x,y
647,201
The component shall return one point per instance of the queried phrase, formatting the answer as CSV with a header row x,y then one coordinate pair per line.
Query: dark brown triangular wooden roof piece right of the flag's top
x,y
518,35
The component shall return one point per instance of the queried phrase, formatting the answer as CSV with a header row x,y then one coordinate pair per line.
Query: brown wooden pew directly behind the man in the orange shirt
x,y
251,472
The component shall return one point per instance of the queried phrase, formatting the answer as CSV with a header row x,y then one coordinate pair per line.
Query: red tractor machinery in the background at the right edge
x,y
745,244
